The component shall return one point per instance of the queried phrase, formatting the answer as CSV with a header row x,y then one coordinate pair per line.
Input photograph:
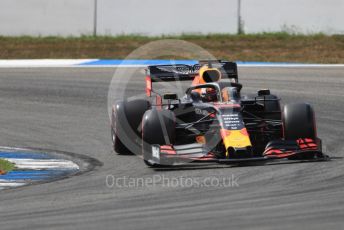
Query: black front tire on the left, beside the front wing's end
x,y
158,127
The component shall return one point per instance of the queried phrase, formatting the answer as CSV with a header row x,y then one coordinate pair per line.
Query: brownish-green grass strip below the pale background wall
x,y
277,47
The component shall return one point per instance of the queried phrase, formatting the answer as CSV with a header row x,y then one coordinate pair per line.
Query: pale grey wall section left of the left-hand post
x,y
47,17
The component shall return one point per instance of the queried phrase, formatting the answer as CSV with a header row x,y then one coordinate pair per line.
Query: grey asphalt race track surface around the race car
x,y
66,110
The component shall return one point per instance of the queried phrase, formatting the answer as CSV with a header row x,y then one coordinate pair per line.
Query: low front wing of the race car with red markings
x,y
303,148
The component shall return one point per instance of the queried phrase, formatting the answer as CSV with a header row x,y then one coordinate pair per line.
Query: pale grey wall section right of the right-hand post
x,y
307,16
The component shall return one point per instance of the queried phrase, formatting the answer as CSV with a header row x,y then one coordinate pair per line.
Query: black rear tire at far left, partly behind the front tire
x,y
126,125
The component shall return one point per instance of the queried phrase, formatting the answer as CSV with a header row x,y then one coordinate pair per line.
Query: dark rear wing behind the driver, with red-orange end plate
x,y
181,72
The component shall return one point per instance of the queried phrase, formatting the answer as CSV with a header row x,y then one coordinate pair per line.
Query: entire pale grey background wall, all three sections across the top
x,y
157,17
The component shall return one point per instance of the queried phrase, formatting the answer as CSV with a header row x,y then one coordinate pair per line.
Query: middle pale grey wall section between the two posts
x,y
152,17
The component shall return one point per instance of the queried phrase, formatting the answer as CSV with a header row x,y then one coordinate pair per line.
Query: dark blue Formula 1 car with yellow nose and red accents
x,y
212,121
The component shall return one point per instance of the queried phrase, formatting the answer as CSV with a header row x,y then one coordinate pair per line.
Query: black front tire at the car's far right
x,y
299,121
